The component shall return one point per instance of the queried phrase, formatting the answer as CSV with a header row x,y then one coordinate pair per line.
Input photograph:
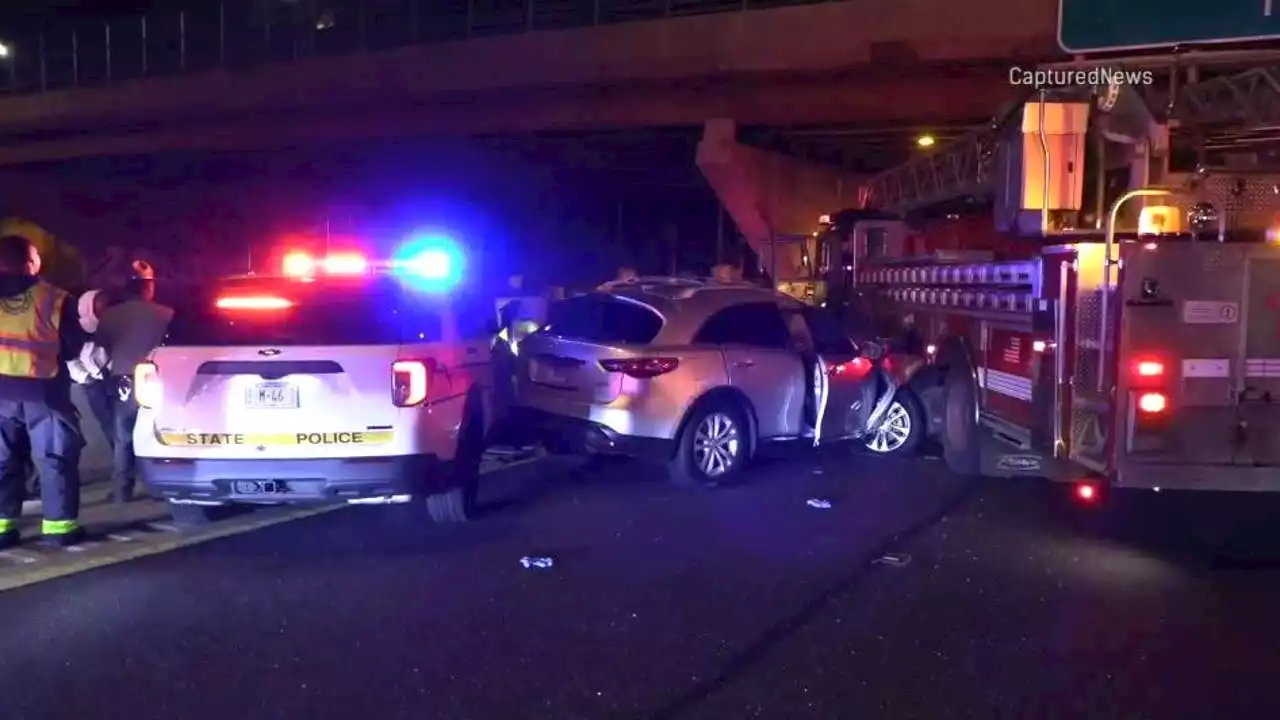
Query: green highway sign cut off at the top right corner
x,y
1103,26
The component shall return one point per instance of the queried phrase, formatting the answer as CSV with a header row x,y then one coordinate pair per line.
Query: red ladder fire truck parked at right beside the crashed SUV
x,y
1133,340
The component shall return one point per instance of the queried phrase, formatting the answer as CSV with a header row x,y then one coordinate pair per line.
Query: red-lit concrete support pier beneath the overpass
x,y
770,195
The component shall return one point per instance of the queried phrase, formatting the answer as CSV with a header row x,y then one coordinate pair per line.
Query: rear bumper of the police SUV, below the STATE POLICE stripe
x,y
294,481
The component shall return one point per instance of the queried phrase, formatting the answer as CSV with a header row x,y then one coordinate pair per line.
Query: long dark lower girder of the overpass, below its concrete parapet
x,y
920,97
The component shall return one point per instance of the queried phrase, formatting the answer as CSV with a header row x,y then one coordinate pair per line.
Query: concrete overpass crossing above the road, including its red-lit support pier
x,y
916,62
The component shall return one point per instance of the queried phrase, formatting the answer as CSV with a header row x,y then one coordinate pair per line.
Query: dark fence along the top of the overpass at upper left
x,y
245,34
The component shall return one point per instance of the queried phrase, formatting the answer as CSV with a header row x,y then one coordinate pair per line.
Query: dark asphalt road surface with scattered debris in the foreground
x,y
915,595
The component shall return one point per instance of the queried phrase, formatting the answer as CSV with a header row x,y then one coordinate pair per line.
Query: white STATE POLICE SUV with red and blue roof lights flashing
x,y
341,380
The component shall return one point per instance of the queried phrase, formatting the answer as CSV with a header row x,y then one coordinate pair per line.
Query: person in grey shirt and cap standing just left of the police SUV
x,y
129,332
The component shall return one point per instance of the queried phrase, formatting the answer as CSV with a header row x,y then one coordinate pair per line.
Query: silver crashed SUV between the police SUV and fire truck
x,y
693,373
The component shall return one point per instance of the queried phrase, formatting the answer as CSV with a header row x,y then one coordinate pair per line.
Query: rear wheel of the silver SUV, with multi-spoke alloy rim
x,y
712,449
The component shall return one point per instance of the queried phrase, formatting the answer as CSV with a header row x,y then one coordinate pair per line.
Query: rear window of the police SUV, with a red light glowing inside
x,y
284,313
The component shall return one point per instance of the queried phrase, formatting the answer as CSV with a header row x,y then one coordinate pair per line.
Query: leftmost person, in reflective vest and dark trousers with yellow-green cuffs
x,y
39,334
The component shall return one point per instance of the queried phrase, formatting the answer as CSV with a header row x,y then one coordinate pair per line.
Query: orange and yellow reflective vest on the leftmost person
x,y
30,332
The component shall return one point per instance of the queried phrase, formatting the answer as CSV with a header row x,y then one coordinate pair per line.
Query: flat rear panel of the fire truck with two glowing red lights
x,y
1210,315
